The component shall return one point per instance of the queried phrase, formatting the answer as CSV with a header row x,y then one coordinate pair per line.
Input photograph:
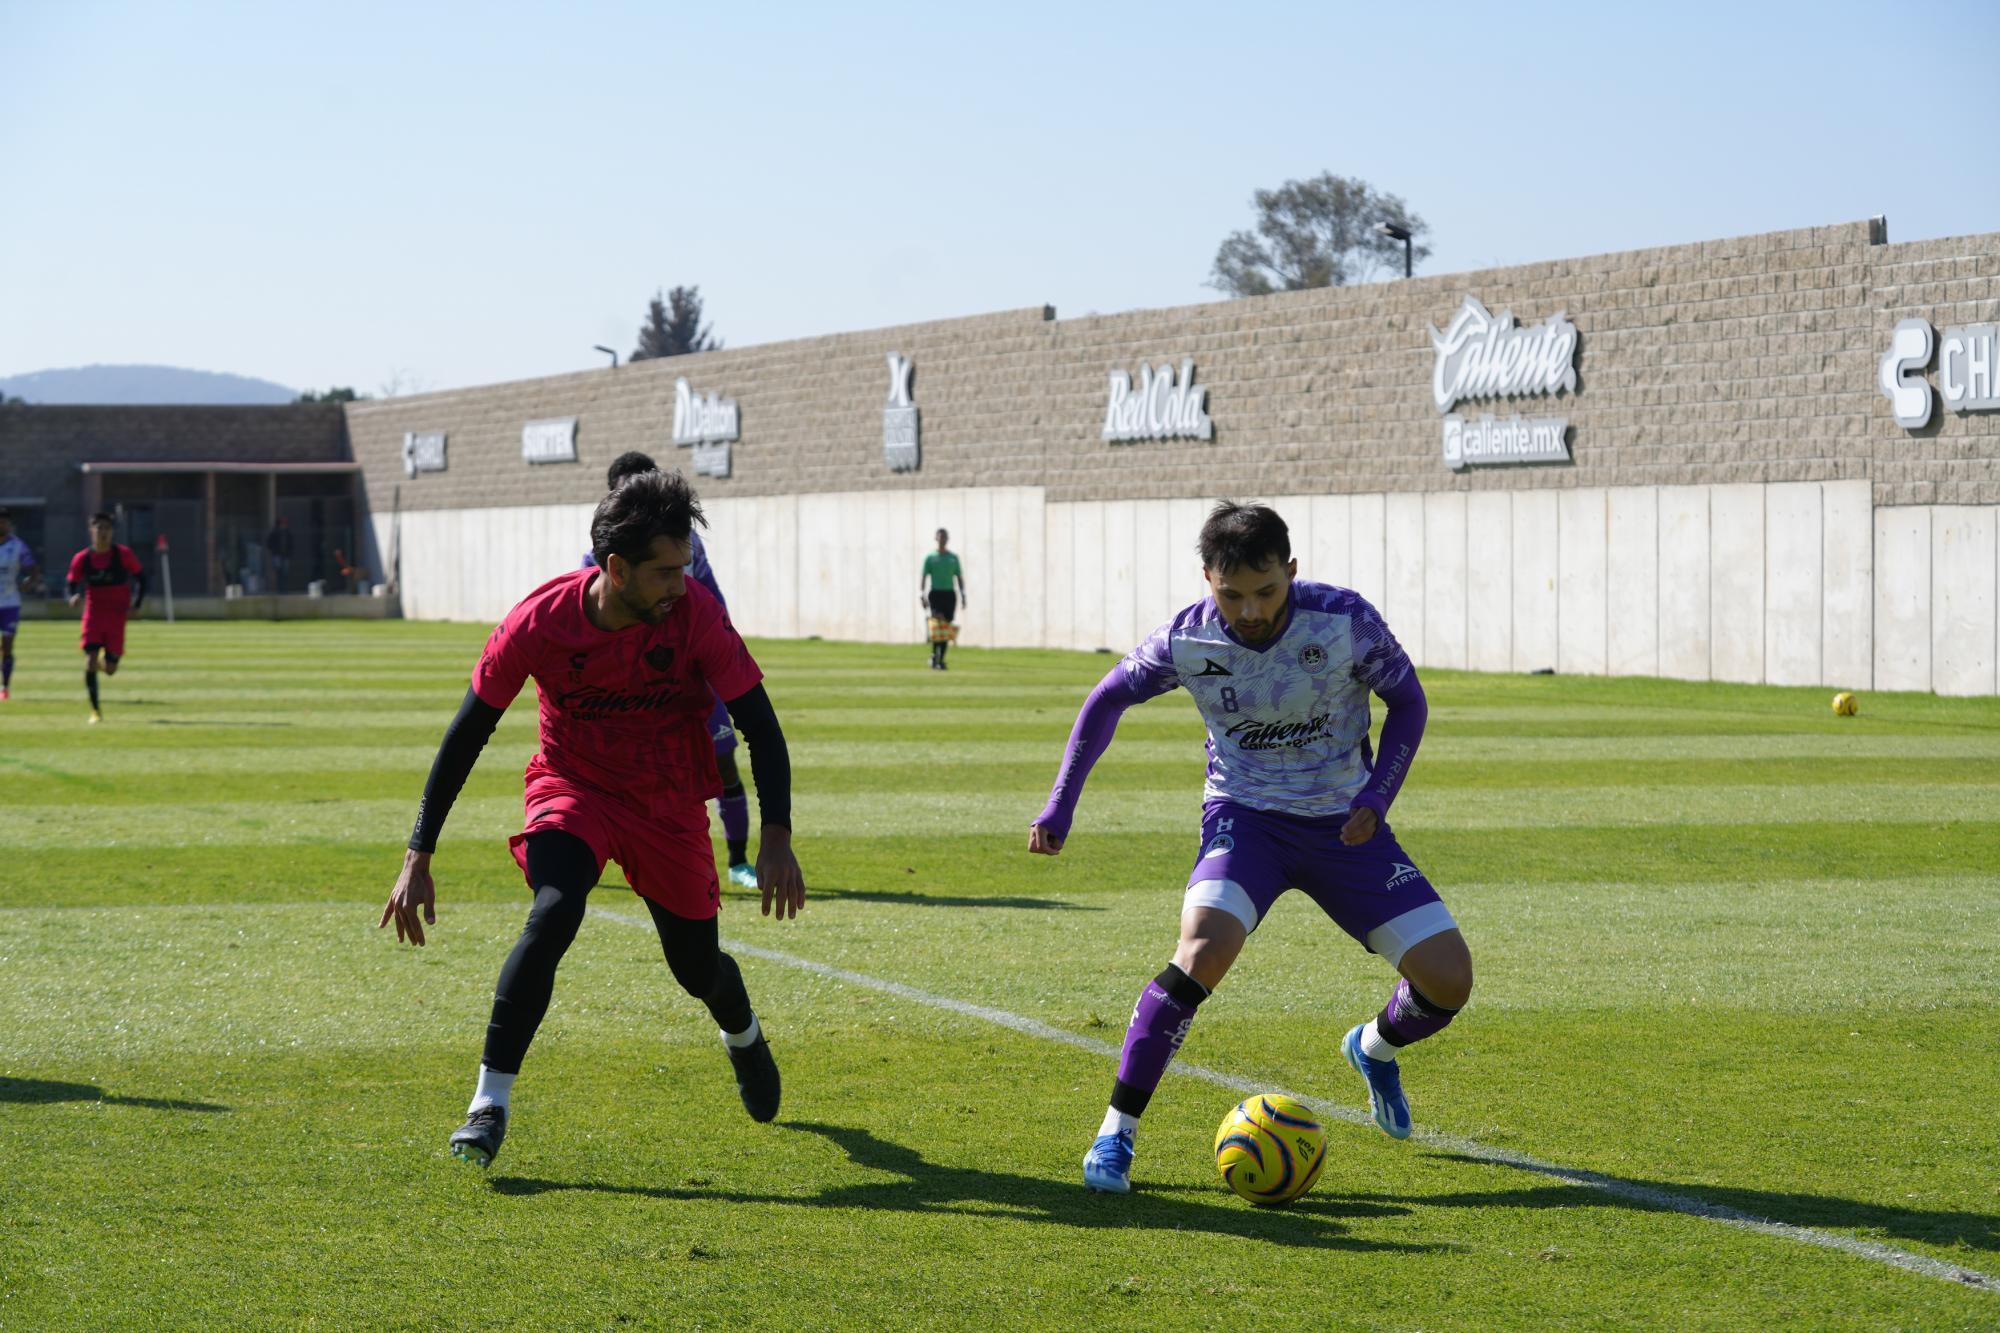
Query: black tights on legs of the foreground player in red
x,y
565,870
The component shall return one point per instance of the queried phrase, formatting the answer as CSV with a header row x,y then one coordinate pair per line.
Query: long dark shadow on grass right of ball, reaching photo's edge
x,y
1821,1212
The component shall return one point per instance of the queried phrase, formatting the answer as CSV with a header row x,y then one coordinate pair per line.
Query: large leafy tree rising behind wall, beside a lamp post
x,y
1317,233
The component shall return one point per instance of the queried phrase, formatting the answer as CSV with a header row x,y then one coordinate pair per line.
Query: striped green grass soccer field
x,y
1729,948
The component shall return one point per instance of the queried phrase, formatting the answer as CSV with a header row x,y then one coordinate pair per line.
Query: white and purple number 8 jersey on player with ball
x,y
1287,720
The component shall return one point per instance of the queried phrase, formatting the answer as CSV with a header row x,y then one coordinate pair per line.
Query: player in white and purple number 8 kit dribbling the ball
x,y
1295,800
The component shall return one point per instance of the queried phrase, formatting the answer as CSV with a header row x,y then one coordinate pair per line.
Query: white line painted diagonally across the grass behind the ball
x,y
1453,1144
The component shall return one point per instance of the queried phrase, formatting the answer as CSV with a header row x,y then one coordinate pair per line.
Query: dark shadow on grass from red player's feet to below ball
x,y
929,1188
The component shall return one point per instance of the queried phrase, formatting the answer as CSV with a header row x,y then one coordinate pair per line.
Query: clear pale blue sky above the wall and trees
x,y
443,195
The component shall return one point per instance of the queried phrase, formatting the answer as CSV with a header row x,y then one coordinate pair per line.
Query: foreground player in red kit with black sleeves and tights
x,y
627,661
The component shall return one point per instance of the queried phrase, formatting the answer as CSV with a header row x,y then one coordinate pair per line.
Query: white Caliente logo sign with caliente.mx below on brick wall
x,y
1485,355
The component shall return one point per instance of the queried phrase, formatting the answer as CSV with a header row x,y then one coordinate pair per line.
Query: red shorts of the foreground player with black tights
x,y
667,860
